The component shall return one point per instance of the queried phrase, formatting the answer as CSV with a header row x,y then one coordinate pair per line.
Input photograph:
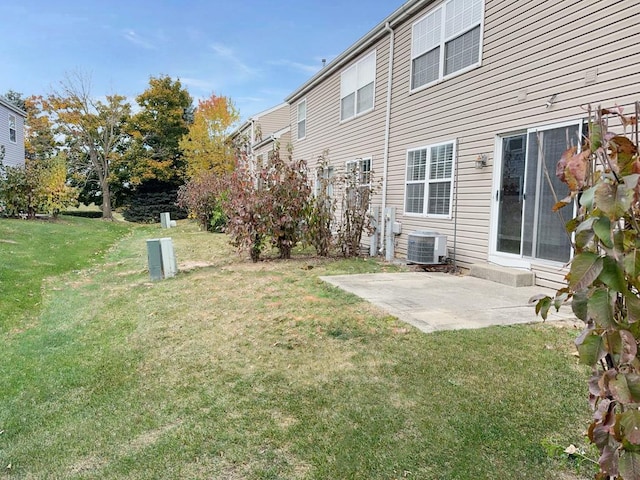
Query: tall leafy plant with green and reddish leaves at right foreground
x,y
603,284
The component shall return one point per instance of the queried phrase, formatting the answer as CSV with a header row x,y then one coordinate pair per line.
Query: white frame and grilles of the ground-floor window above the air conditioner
x,y
427,181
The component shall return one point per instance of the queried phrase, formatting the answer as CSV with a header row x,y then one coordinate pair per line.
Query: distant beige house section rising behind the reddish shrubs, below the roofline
x,y
262,132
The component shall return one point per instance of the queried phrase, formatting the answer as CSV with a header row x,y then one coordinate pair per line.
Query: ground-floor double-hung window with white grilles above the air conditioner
x,y
429,180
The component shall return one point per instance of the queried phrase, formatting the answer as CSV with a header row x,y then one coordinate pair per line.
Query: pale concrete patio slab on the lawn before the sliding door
x,y
434,301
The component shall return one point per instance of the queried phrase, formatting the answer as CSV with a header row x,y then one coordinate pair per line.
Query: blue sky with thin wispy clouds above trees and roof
x,y
255,52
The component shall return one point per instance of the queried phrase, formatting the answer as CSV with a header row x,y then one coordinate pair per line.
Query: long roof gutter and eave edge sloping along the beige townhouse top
x,y
373,35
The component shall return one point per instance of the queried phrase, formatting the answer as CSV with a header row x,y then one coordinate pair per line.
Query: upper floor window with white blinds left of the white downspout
x,y
357,87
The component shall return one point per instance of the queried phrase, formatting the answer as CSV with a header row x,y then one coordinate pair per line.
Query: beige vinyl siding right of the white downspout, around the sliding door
x,y
541,47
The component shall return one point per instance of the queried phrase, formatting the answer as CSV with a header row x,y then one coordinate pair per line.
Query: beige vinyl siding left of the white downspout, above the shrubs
x,y
359,137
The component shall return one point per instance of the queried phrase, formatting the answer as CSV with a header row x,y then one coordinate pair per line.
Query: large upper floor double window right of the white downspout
x,y
445,41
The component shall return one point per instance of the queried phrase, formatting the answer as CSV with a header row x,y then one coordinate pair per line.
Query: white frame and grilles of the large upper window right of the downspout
x,y
445,12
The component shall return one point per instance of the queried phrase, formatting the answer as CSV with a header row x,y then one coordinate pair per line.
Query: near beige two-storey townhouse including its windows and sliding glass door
x,y
455,104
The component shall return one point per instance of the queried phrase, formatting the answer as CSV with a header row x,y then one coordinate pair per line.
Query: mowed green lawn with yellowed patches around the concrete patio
x,y
234,370
